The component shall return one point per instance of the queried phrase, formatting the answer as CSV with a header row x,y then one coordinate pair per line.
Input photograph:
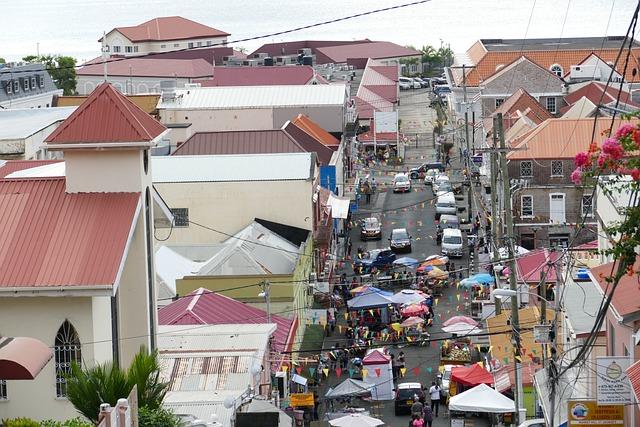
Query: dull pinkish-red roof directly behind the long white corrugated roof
x,y
260,76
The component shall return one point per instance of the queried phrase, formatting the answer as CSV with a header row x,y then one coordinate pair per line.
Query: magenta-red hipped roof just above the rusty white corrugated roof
x,y
204,307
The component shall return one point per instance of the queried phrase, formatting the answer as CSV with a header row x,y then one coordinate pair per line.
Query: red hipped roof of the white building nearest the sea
x,y
168,28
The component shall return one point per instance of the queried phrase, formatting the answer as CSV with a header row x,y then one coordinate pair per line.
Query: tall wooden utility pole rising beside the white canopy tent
x,y
509,239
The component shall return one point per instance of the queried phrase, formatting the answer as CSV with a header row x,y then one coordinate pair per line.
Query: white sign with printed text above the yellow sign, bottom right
x,y
613,386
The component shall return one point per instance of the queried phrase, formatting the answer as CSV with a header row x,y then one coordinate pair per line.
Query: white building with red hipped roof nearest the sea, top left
x,y
162,34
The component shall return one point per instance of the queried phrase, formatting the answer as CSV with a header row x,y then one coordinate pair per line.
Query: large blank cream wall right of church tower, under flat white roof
x,y
231,206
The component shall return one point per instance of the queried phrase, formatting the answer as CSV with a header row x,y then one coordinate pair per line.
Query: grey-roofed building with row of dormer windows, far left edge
x,y
26,86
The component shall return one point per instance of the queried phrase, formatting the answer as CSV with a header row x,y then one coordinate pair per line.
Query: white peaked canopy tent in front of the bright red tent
x,y
482,398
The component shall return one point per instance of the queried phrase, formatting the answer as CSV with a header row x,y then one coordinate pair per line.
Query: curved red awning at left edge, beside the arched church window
x,y
22,358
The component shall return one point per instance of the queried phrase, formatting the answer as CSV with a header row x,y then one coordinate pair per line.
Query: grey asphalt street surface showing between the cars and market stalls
x,y
414,211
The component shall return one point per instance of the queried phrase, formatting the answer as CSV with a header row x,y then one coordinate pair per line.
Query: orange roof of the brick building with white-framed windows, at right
x,y
562,138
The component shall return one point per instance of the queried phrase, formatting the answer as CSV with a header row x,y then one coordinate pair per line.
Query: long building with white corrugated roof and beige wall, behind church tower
x,y
213,109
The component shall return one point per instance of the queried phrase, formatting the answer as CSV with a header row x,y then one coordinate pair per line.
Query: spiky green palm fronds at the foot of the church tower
x,y
87,388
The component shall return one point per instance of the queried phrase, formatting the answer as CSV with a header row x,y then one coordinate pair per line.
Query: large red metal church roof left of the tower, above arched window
x,y
51,238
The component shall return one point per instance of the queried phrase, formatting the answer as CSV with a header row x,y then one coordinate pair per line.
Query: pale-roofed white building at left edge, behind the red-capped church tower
x,y
23,131
